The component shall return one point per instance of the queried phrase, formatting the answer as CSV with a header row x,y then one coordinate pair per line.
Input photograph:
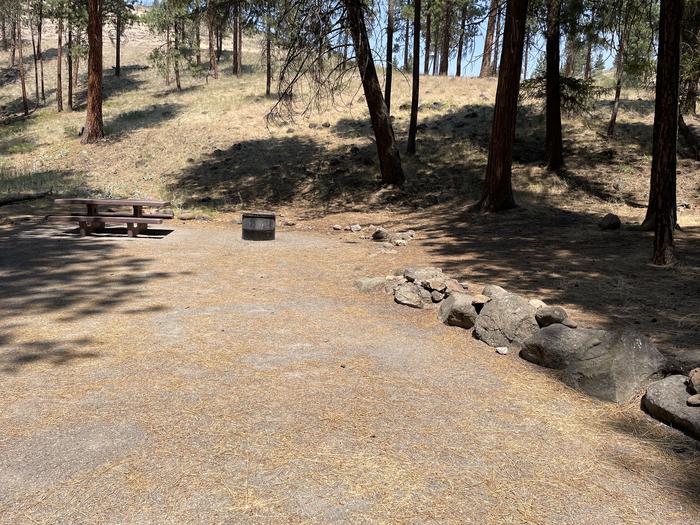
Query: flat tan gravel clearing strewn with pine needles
x,y
194,378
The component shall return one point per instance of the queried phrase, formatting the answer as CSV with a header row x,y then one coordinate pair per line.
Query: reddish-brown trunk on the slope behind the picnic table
x,y
93,119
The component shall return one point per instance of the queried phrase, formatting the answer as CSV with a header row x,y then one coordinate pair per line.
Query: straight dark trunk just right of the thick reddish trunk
x,y
553,140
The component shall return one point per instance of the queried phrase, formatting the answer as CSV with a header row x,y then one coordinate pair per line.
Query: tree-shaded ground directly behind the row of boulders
x,y
563,258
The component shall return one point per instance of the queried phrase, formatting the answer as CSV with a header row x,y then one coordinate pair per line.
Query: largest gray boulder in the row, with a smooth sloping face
x,y
616,369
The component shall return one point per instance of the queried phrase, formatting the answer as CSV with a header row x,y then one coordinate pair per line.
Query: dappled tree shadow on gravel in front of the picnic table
x,y
47,274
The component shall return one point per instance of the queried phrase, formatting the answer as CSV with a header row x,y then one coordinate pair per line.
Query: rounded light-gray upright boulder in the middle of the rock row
x,y
506,320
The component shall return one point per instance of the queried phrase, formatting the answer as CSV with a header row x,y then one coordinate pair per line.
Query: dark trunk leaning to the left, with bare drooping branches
x,y
389,158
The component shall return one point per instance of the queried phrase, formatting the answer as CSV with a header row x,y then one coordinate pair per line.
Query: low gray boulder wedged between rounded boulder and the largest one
x,y
556,346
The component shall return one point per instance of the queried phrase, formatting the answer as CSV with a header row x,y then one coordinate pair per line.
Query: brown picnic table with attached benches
x,y
93,220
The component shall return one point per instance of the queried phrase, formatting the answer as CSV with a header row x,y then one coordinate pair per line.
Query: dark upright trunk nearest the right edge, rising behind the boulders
x,y
662,193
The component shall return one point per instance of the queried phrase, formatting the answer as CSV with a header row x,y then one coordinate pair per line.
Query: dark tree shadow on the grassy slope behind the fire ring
x,y
275,171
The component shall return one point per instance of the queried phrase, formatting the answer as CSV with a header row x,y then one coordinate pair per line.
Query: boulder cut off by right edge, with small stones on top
x,y
666,400
